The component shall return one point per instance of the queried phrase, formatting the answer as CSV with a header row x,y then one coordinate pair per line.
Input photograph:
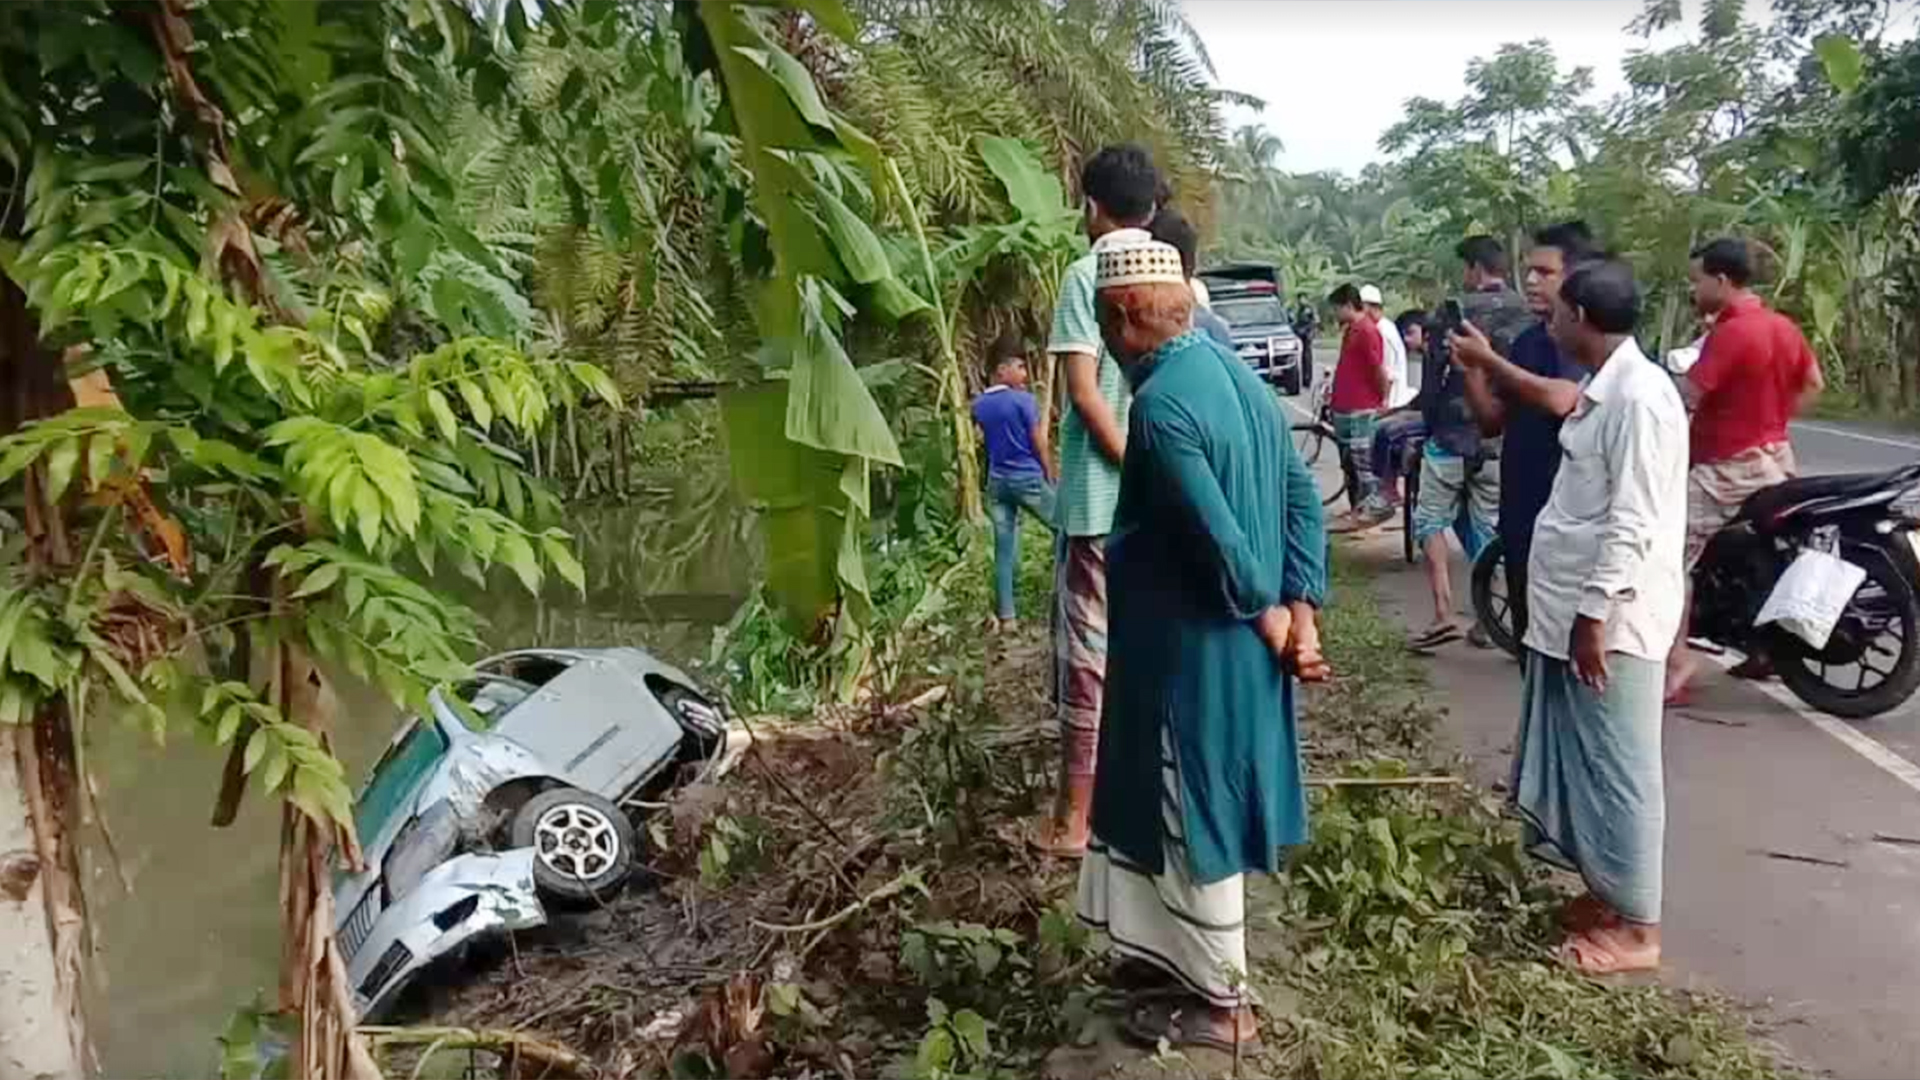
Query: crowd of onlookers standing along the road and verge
x,y
1191,560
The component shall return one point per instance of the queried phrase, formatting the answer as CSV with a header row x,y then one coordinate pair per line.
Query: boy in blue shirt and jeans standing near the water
x,y
1019,466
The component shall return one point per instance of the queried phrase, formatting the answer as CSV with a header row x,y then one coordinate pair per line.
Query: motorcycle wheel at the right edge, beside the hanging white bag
x,y
1860,650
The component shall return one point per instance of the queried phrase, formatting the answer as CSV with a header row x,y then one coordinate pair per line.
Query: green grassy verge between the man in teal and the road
x,y
1420,933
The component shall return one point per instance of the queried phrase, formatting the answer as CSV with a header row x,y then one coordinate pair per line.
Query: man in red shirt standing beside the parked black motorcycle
x,y
1756,372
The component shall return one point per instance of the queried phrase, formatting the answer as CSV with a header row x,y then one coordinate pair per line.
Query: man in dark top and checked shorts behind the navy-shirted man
x,y
1458,466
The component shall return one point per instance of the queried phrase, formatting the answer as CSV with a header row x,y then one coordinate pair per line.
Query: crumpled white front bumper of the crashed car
x,y
466,898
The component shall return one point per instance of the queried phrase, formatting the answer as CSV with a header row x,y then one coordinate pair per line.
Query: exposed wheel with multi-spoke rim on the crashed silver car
x,y
583,845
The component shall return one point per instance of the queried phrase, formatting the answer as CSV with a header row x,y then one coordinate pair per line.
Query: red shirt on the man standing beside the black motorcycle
x,y
1750,378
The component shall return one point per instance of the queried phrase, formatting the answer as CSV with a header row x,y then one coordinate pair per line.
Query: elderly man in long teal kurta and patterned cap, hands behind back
x,y
1216,568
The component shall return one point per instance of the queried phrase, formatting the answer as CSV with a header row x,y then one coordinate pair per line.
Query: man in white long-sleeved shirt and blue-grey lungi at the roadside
x,y
1606,583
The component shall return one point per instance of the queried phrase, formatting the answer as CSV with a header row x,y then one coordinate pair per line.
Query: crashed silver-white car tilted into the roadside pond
x,y
510,795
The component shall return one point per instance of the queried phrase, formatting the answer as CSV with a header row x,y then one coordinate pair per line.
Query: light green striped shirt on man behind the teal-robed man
x,y
1090,483
